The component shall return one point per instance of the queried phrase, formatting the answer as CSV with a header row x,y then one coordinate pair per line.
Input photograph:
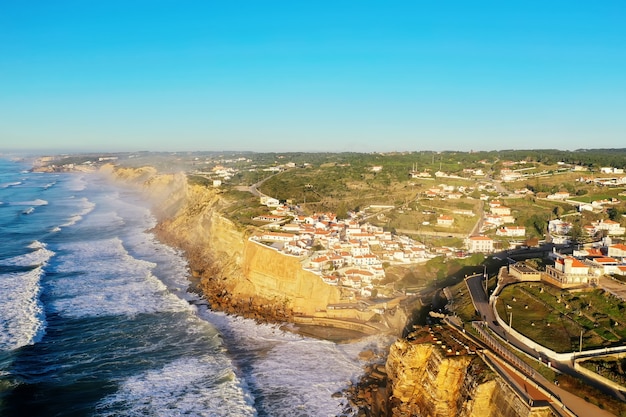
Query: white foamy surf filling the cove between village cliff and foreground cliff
x,y
297,375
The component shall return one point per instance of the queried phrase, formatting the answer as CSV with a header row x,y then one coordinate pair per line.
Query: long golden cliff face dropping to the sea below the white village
x,y
236,274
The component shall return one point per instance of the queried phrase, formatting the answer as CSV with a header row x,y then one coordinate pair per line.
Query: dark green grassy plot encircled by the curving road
x,y
556,319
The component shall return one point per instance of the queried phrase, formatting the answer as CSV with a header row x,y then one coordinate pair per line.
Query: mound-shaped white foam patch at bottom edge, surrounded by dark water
x,y
192,386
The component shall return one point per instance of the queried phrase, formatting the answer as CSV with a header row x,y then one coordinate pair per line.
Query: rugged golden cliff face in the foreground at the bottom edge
x,y
424,381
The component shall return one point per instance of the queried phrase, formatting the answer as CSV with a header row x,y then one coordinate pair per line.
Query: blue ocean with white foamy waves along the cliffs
x,y
96,318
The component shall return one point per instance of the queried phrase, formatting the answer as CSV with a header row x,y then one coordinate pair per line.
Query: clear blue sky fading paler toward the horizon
x,y
312,76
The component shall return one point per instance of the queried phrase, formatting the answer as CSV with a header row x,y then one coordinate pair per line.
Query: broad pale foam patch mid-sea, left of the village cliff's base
x,y
103,279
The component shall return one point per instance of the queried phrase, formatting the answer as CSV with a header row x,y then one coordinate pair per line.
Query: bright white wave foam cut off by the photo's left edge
x,y
22,321
